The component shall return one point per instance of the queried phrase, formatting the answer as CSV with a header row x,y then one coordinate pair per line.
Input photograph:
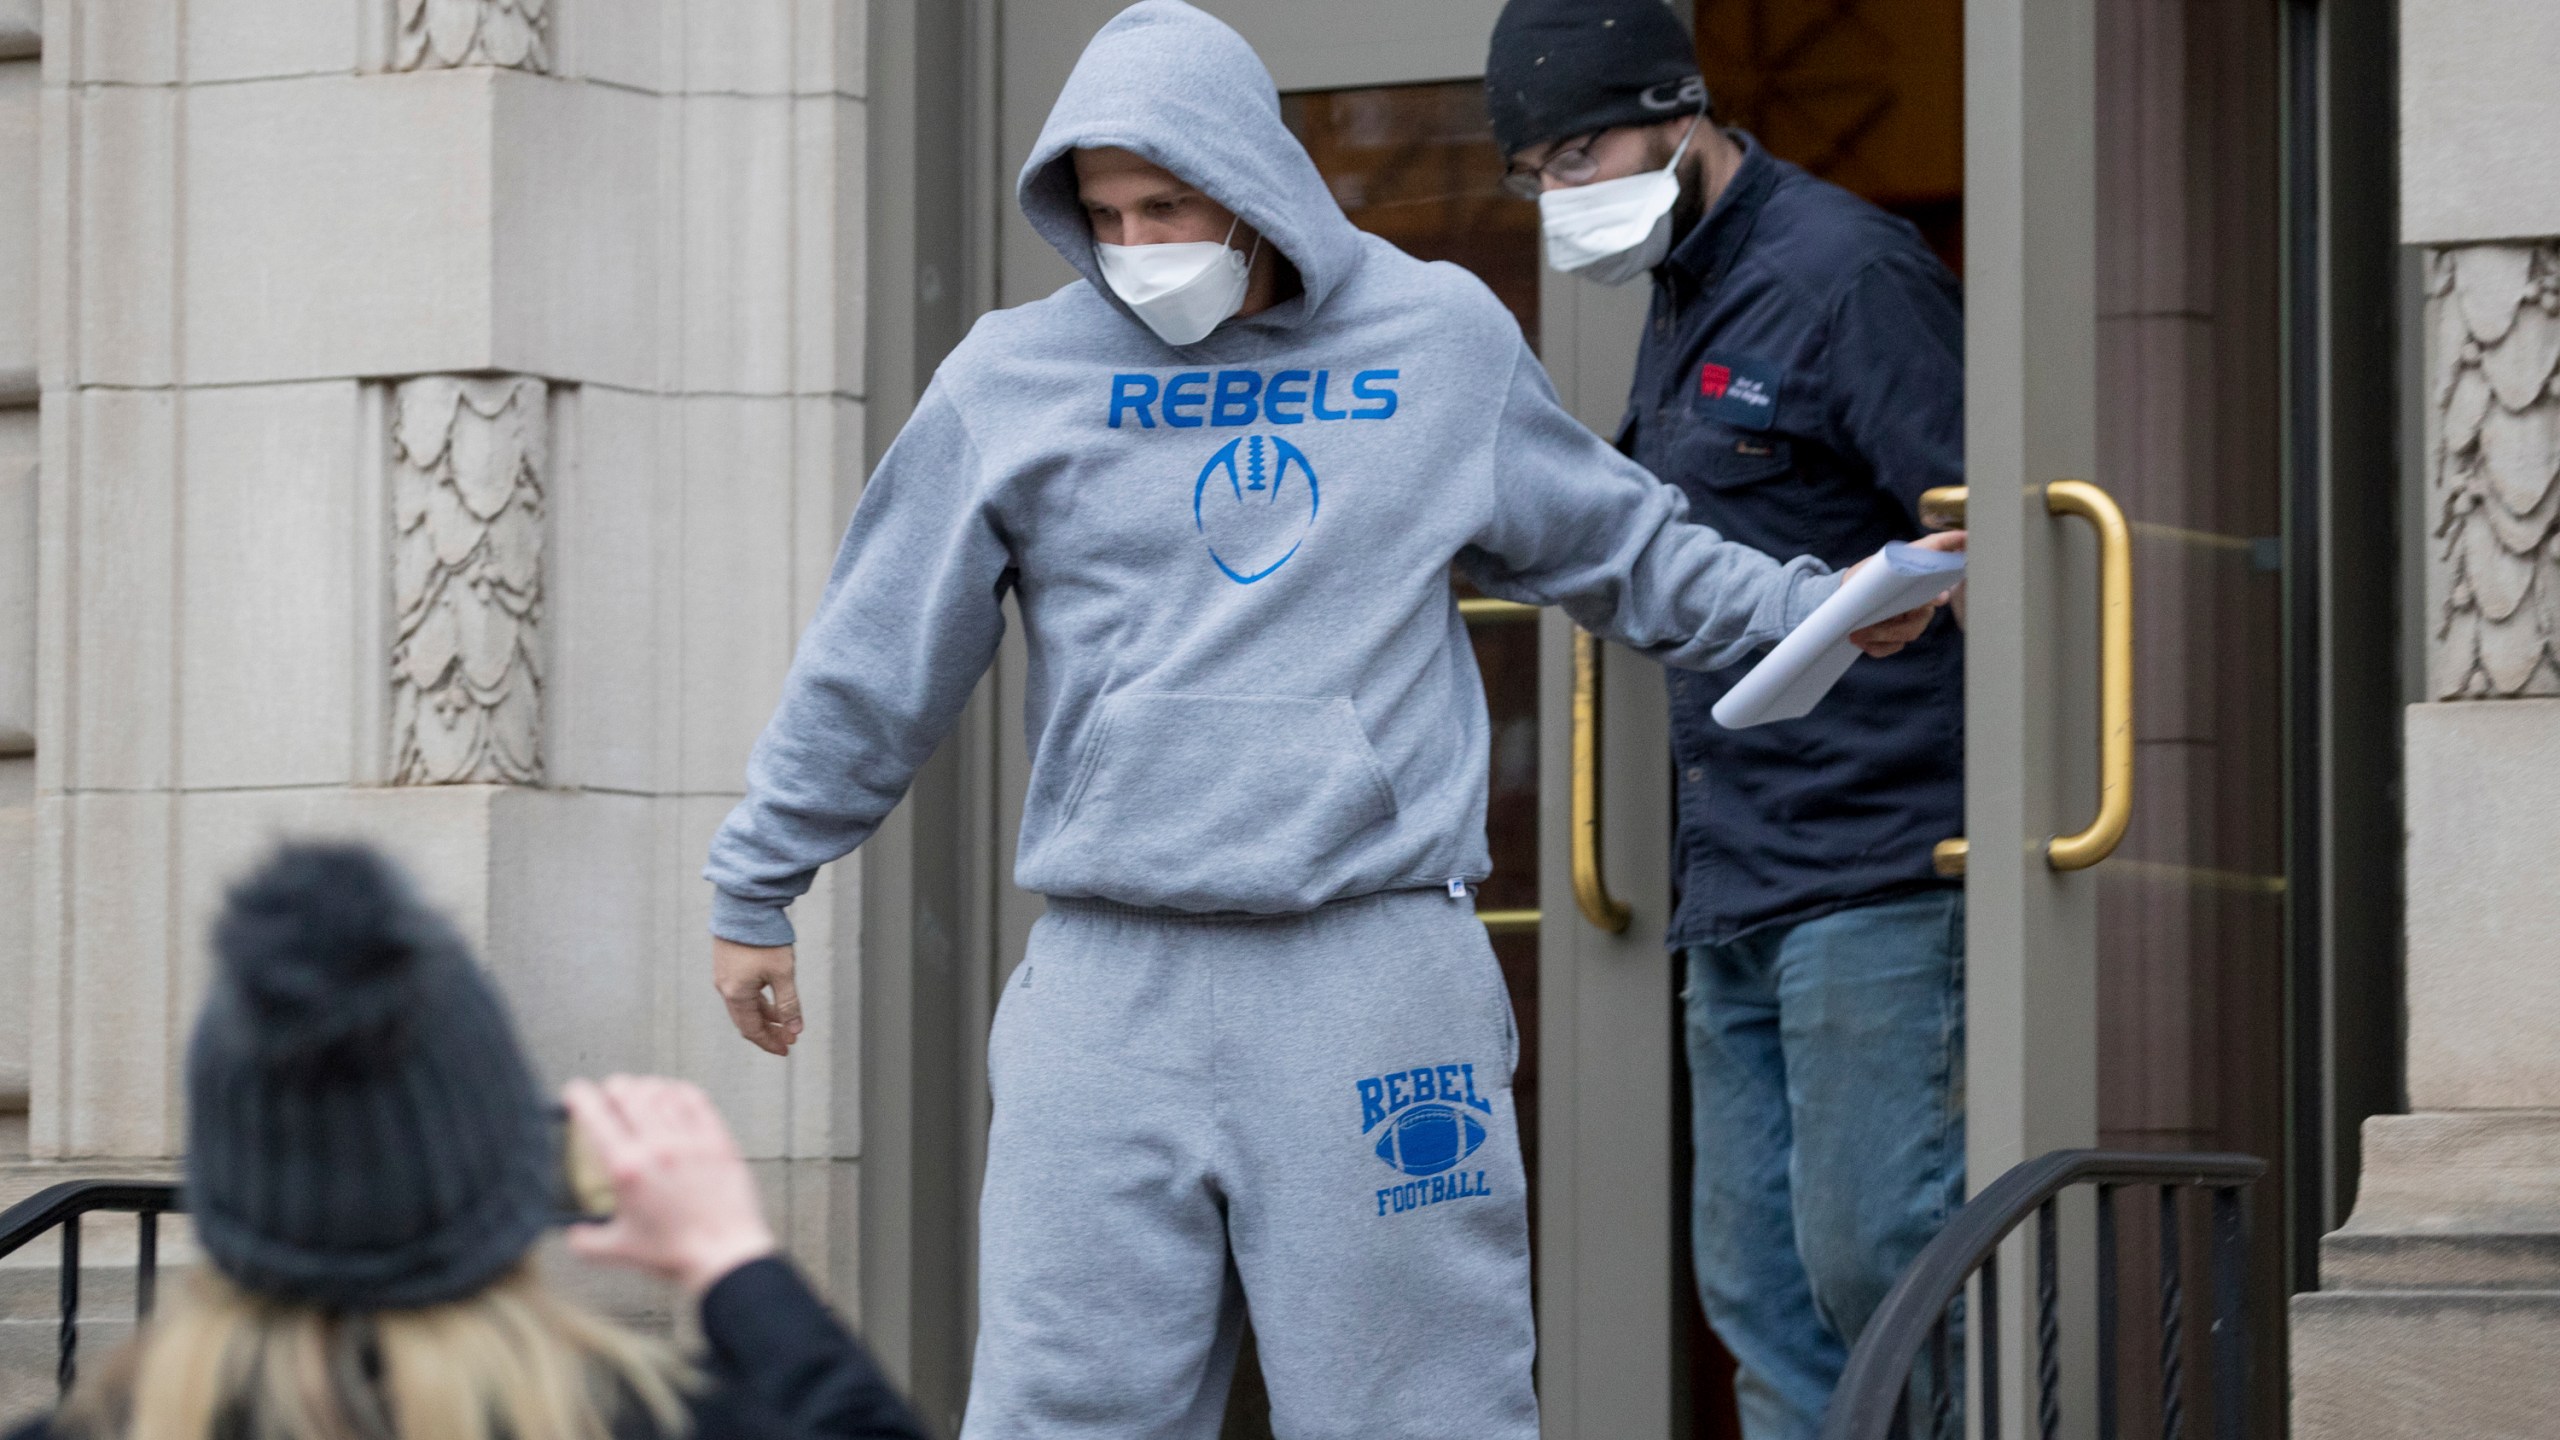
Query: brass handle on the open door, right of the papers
x,y
2083,849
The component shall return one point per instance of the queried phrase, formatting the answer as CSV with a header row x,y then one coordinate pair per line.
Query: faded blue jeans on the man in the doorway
x,y
1827,1070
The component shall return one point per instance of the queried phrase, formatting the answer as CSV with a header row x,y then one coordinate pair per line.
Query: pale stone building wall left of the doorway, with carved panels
x,y
426,421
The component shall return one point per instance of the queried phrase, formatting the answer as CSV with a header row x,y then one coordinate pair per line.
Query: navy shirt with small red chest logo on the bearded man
x,y
1804,383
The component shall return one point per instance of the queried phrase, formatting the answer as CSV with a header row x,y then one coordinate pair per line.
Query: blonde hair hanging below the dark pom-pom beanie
x,y
513,1362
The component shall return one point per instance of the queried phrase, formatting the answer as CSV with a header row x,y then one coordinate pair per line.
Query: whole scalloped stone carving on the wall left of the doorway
x,y
467,580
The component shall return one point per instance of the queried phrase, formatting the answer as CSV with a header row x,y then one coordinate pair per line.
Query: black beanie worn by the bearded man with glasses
x,y
1571,68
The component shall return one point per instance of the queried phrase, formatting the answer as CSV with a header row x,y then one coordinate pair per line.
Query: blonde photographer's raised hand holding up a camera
x,y
685,1203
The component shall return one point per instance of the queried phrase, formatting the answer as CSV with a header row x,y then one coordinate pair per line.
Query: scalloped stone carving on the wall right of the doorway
x,y
2495,391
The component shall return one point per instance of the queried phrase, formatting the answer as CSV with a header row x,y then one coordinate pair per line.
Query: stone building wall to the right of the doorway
x,y
2441,1298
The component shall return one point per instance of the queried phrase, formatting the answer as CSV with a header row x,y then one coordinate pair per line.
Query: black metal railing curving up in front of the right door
x,y
1878,1390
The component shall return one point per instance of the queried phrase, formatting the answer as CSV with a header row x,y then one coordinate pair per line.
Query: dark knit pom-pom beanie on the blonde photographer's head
x,y
362,1129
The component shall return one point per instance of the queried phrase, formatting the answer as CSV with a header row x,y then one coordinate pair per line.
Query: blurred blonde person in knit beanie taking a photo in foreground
x,y
370,1167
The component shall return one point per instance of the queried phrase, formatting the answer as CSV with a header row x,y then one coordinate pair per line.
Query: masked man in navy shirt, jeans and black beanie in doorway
x,y
1804,383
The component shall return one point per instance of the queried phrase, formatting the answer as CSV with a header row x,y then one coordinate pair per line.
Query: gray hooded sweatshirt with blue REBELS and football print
x,y
1251,688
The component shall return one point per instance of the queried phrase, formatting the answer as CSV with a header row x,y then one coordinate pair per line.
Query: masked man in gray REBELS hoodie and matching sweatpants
x,y
1258,1052
